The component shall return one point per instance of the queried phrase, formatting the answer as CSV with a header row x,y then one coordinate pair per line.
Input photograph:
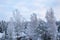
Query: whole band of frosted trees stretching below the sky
x,y
35,28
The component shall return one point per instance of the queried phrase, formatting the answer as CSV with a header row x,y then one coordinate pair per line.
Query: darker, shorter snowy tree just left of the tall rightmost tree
x,y
41,29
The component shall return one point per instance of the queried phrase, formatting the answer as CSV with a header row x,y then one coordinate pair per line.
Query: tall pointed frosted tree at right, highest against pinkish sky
x,y
51,23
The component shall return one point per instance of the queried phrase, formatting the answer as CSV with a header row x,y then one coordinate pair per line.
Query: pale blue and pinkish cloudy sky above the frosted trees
x,y
27,7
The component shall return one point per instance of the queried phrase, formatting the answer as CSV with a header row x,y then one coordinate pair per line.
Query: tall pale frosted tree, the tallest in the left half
x,y
19,28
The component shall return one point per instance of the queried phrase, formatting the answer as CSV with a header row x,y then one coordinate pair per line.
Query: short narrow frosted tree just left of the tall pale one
x,y
10,29
